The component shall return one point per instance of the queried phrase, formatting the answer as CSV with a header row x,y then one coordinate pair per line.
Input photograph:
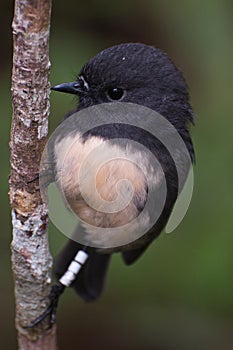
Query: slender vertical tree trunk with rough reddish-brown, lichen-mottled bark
x,y
31,259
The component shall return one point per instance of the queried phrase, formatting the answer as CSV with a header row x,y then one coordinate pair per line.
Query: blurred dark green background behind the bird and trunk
x,y
179,296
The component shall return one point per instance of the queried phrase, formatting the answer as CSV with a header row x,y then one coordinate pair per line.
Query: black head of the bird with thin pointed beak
x,y
135,73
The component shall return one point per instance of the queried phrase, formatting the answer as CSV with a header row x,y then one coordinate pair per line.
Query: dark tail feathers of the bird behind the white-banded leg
x,y
90,281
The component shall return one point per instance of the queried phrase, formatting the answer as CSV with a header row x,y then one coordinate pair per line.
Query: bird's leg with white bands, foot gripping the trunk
x,y
57,289
